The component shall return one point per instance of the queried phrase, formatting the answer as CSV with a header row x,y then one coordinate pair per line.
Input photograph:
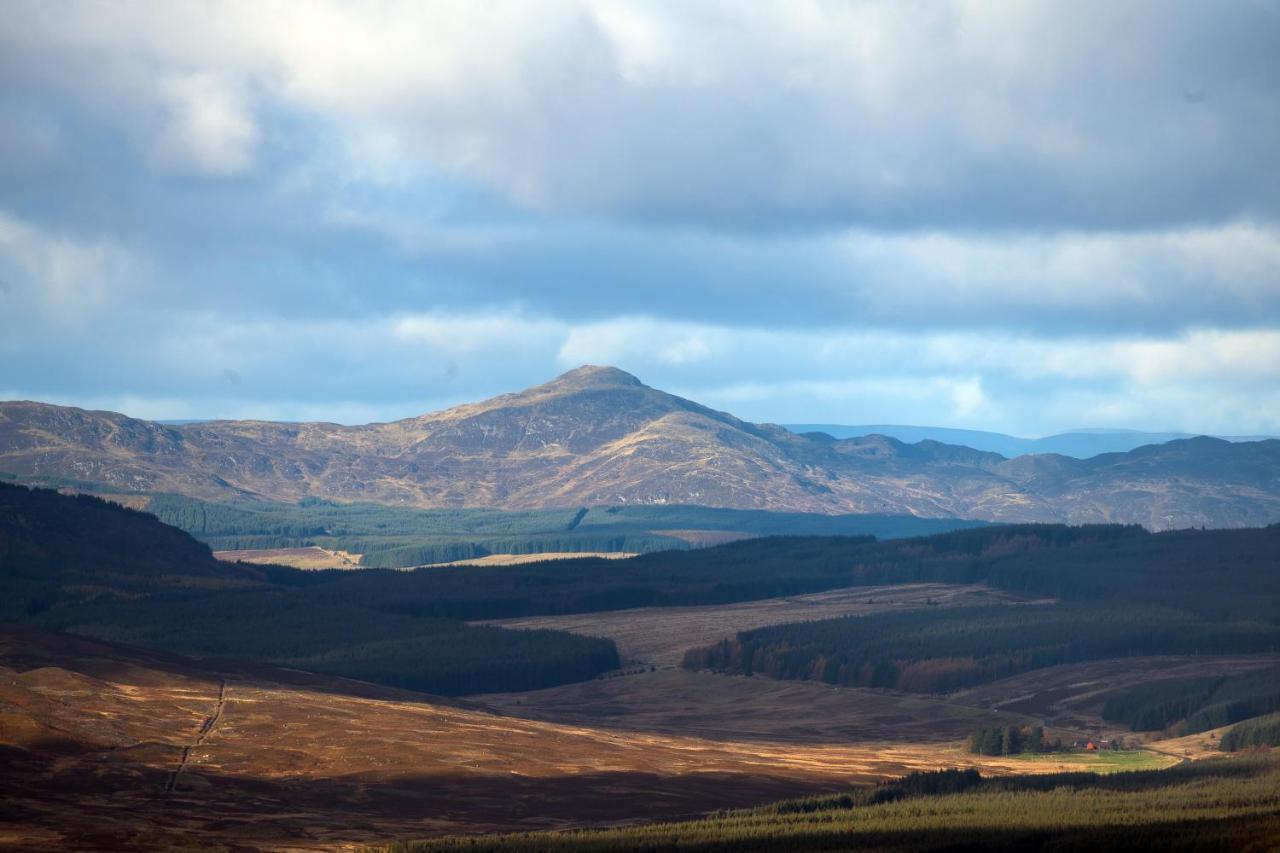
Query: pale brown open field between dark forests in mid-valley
x,y
660,636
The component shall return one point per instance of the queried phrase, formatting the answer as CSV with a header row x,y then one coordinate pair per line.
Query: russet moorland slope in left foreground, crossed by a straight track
x,y
117,749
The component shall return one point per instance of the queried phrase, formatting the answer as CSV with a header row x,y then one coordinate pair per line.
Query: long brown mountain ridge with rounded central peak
x,y
598,436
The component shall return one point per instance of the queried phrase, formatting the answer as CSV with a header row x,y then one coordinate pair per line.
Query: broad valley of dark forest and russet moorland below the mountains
x,y
154,697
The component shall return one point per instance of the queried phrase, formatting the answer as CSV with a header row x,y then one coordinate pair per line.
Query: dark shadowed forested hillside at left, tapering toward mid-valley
x,y
85,565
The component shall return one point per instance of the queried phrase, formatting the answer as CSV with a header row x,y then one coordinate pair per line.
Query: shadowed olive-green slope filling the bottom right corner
x,y
1227,805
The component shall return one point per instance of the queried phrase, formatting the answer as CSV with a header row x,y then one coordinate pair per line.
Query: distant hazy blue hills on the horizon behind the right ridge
x,y
1081,444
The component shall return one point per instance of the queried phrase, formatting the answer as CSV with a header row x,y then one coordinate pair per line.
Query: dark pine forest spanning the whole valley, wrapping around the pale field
x,y
89,567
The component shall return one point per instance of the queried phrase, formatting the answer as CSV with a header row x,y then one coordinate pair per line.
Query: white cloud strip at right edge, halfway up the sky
x,y
1100,280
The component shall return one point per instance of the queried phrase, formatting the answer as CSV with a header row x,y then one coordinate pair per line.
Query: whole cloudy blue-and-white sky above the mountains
x,y
1022,217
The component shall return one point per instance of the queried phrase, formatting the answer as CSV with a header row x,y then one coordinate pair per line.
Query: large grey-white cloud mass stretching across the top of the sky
x,y
871,115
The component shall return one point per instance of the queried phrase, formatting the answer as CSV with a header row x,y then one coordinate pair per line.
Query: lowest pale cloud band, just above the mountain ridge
x,y
403,366
